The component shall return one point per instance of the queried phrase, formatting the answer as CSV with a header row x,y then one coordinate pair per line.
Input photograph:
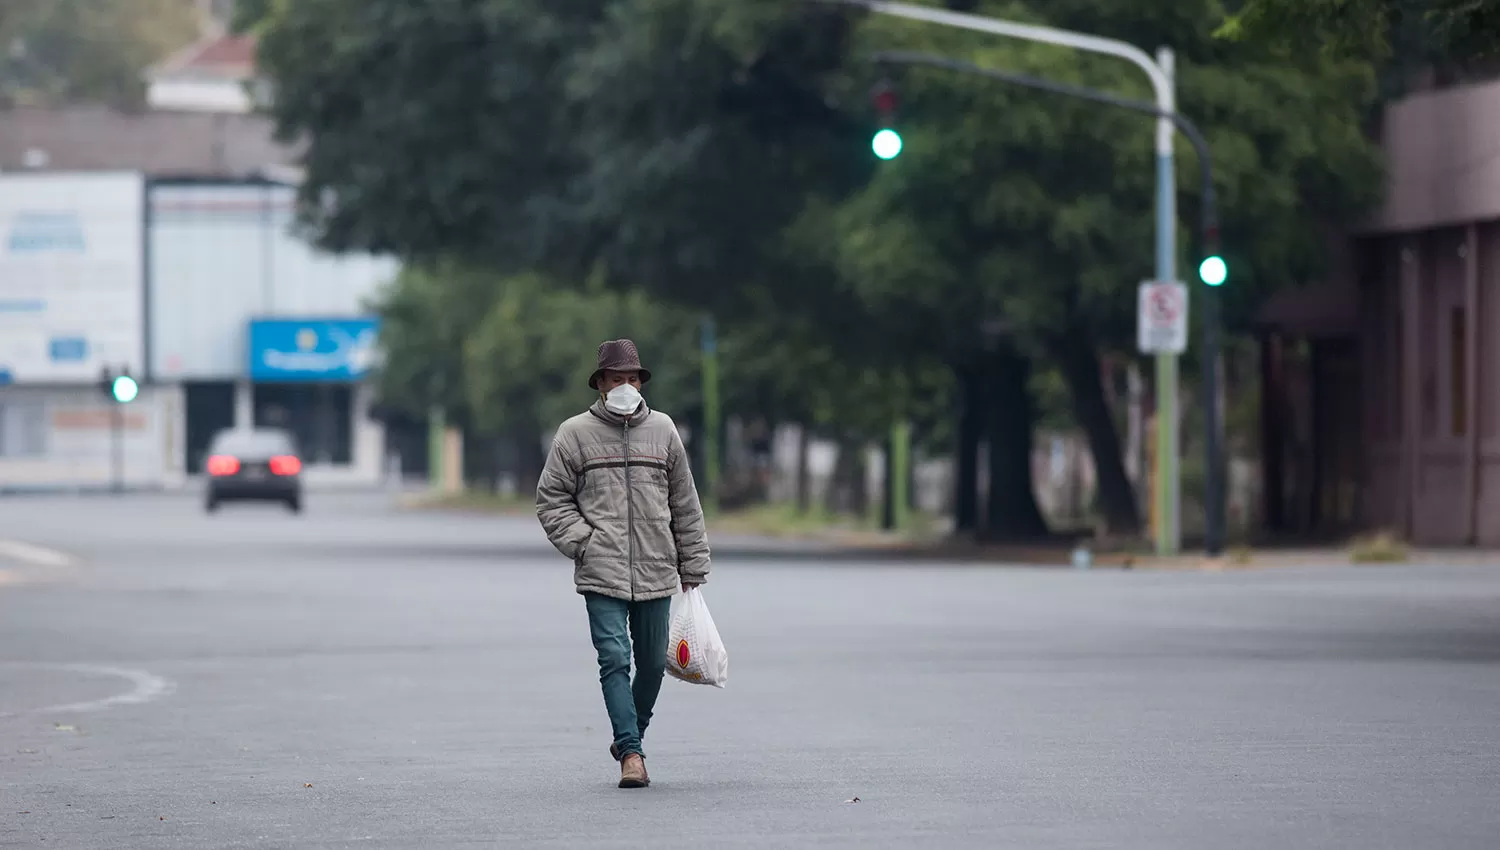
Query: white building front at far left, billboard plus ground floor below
x,y
73,304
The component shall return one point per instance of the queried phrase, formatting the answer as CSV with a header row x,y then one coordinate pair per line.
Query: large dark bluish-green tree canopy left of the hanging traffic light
x,y
656,145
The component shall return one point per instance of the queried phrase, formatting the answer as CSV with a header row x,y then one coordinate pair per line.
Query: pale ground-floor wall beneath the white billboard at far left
x,y
61,438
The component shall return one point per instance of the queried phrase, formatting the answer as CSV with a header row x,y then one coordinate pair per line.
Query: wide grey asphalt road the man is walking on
x,y
367,677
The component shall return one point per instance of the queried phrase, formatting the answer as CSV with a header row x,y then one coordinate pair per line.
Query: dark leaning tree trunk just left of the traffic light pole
x,y
1081,370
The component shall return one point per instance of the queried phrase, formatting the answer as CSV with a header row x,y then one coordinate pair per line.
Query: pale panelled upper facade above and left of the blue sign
x,y
221,256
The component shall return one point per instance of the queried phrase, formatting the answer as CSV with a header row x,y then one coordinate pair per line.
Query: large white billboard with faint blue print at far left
x,y
71,277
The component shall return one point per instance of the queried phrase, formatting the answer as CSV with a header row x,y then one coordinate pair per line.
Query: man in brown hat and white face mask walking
x,y
617,497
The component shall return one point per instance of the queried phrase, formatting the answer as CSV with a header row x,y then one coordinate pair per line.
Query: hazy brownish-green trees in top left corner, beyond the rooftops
x,y
59,52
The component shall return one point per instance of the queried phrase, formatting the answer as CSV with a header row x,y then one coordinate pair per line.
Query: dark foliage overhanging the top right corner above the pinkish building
x,y
1457,29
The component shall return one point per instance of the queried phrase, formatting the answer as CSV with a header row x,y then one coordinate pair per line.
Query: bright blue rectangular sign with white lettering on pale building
x,y
313,350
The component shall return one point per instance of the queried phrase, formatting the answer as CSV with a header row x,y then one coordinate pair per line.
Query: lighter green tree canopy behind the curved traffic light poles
x,y
1039,211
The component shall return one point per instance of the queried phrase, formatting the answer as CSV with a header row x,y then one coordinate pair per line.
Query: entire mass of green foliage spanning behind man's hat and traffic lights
x,y
620,167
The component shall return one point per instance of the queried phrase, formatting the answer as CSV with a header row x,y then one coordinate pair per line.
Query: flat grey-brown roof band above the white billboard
x,y
160,143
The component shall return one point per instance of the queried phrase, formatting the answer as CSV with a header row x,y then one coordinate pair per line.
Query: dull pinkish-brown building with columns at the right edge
x,y
1384,388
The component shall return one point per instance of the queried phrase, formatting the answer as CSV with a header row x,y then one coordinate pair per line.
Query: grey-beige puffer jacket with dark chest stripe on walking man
x,y
617,497
